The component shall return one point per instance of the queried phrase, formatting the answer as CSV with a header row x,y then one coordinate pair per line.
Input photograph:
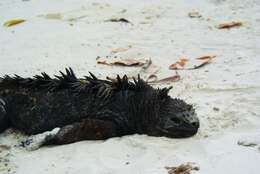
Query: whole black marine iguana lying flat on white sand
x,y
91,109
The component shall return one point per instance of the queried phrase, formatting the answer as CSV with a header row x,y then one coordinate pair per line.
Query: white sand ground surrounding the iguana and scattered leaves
x,y
58,34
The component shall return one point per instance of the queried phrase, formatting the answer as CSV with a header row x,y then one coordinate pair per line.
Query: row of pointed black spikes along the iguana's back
x,y
68,80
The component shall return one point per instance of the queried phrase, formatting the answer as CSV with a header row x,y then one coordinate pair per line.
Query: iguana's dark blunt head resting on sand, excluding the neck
x,y
174,118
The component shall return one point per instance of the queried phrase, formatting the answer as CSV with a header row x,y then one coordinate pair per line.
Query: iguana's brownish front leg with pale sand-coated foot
x,y
87,129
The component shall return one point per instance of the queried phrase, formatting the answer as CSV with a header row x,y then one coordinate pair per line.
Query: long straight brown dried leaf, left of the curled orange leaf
x,y
120,61
